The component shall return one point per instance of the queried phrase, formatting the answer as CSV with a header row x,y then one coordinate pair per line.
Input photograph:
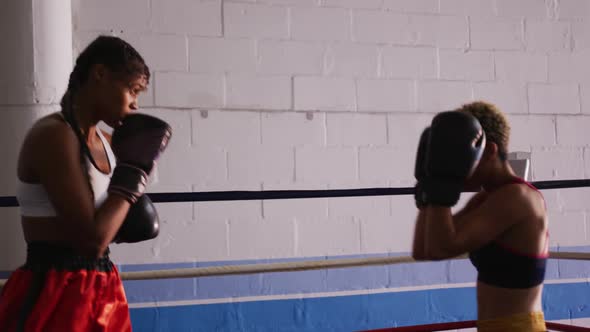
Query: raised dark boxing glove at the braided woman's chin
x,y
137,143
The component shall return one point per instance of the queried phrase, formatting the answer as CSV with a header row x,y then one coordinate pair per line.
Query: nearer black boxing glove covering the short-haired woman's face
x,y
456,144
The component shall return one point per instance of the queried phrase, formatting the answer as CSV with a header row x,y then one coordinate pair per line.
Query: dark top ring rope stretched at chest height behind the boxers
x,y
10,201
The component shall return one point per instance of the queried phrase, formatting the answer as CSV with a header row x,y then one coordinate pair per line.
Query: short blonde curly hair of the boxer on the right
x,y
494,123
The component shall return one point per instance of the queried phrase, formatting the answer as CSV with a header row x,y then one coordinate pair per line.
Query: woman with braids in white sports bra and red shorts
x,y
79,190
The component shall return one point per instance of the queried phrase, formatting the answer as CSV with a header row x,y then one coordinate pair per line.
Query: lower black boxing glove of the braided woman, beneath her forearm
x,y
141,223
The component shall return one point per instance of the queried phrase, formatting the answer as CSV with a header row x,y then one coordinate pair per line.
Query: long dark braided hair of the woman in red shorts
x,y
115,54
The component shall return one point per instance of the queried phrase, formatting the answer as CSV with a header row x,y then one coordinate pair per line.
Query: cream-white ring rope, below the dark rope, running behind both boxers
x,y
293,266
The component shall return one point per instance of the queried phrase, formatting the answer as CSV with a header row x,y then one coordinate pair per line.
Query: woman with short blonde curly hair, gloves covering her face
x,y
503,226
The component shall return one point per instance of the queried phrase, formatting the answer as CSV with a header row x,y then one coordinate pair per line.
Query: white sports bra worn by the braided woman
x,y
34,201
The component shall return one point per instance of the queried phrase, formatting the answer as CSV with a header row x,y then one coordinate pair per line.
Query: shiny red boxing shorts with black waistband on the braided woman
x,y
58,290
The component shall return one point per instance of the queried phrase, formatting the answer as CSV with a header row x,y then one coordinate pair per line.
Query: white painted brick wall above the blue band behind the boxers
x,y
317,94
